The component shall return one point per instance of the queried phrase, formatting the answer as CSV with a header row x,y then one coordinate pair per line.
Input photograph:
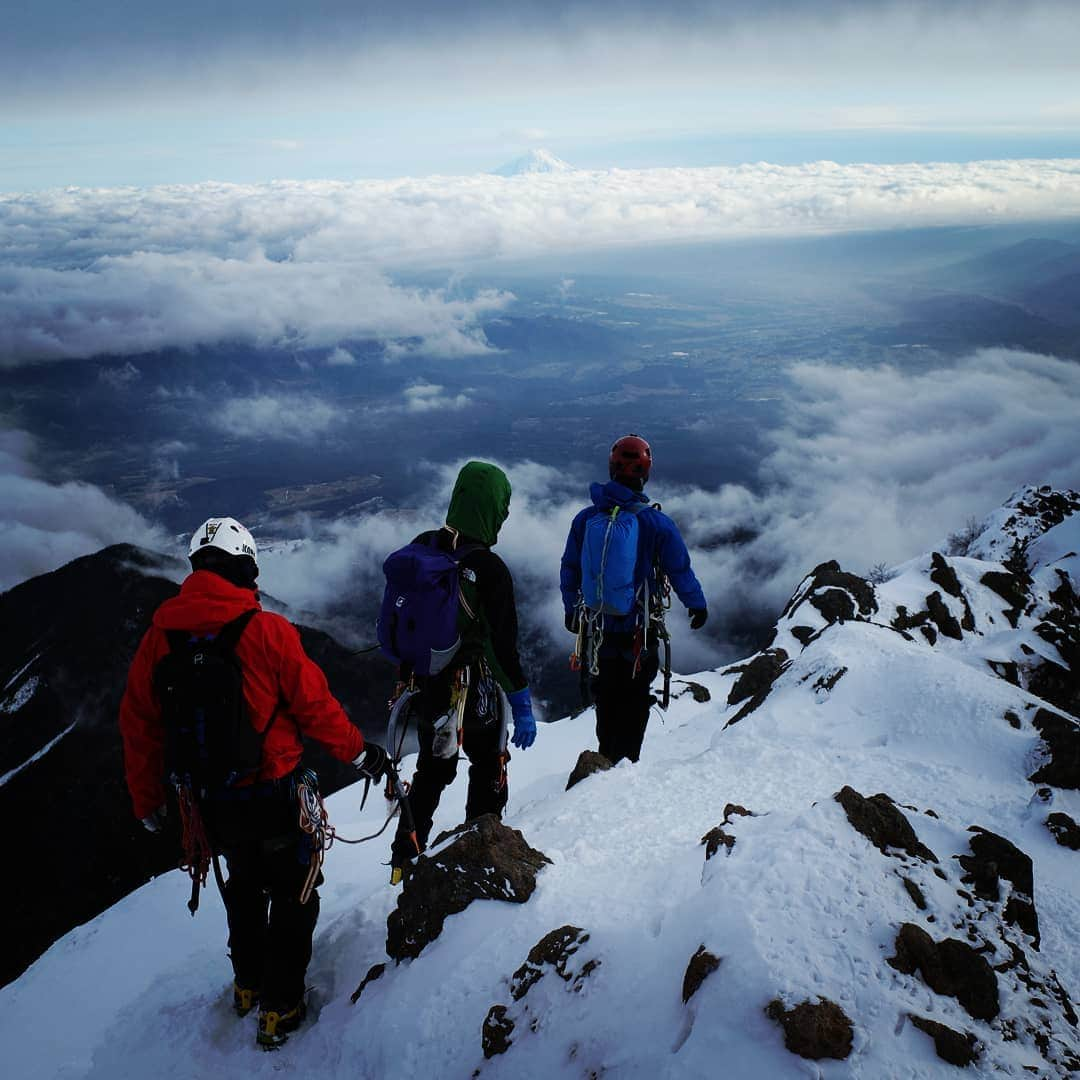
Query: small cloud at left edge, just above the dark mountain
x,y
43,525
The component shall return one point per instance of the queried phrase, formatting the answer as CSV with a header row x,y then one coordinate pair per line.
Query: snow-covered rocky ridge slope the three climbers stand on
x,y
866,690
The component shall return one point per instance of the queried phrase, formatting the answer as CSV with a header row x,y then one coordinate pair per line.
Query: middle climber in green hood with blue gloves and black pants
x,y
461,708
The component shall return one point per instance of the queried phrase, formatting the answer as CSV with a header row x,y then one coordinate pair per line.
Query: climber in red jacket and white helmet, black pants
x,y
253,819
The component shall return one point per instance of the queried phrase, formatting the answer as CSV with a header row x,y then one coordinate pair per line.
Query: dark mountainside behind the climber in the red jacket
x,y
66,641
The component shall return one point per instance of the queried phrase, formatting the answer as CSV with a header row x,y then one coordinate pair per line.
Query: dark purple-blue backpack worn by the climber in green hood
x,y
418,622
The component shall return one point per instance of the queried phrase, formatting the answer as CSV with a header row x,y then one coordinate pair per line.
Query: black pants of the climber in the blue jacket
x,y
624,699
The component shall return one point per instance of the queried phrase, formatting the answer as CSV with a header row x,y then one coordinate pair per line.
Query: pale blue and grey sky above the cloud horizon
x,y
111,93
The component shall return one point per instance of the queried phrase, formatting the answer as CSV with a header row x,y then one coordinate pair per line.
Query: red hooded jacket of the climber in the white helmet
x,y
277,670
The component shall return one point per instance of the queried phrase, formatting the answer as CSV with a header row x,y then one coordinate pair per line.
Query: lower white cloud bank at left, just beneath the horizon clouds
x,y
147,301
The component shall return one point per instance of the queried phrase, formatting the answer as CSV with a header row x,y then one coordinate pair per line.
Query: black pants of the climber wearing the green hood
x,y
482,741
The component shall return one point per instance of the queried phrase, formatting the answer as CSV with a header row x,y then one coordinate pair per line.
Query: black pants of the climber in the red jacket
x,y
271,930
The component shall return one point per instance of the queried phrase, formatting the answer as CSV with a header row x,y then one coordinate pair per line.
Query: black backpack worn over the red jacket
x,y
210,741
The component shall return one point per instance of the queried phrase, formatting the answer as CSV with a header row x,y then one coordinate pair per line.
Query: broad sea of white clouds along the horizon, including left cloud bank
x,y
312,264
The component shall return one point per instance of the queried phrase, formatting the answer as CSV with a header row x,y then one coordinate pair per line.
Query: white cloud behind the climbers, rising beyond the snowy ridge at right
x,y
873,466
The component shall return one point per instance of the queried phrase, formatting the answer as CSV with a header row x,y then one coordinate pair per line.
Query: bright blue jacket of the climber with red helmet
x,y
659,543
